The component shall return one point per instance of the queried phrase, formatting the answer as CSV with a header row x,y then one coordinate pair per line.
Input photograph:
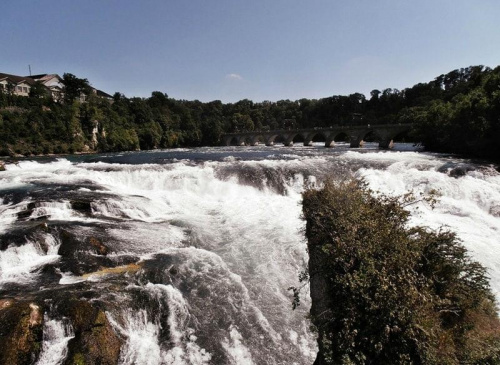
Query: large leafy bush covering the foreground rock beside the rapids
x,y
384,293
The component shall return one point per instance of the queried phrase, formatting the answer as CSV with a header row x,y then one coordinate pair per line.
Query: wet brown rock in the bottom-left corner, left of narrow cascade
x,y
21,332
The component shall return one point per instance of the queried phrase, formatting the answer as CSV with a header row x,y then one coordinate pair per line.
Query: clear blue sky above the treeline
x,y
255,49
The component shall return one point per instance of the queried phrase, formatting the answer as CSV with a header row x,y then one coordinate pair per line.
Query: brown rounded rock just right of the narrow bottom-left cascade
x,y
95,340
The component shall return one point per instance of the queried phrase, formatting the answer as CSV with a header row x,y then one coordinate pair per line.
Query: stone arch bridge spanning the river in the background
x,y
384,133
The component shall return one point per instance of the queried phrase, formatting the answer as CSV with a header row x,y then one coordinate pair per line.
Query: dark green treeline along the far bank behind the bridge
x,y
456,112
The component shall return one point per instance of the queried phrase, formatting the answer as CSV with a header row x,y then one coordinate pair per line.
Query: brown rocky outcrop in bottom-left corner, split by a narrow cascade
x,y
21,331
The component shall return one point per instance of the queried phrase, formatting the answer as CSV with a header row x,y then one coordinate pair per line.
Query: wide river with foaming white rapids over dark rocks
x,y
203,244
